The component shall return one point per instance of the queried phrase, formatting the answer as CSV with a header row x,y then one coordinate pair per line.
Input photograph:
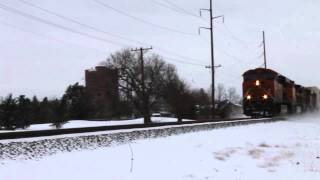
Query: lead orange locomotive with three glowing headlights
x,y
262,92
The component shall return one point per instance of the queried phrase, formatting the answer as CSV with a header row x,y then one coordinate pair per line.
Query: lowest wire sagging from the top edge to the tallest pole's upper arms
x,y
142,20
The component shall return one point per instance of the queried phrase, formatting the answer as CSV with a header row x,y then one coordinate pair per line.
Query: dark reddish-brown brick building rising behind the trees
x,y
103,91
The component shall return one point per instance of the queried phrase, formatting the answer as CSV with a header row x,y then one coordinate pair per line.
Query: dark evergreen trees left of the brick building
x,y
21,112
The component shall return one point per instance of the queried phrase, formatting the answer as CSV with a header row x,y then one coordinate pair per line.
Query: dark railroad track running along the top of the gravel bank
x,y
53,132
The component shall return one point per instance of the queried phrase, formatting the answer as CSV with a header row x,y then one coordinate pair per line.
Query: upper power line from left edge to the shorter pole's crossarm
x,y
12,10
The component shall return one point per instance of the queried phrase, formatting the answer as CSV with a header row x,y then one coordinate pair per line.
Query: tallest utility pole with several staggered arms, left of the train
x,y
210,10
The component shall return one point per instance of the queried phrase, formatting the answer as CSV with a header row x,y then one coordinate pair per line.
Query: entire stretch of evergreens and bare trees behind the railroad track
x,y
162,91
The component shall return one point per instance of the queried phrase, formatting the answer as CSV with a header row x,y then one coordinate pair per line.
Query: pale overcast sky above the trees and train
x,y
41,59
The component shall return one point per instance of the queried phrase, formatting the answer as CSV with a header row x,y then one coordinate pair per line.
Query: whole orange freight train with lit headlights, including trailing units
x,y
268,93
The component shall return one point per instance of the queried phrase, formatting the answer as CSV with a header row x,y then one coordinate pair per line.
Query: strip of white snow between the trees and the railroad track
x,y
84,123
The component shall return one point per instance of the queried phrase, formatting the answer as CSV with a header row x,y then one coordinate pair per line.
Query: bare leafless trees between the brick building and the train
x,y
162,88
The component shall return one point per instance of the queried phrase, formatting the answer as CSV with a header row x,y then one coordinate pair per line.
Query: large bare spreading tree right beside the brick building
x,y
157,72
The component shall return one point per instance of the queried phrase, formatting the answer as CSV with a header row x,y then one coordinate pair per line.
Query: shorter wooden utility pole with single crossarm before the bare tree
x,y
145,99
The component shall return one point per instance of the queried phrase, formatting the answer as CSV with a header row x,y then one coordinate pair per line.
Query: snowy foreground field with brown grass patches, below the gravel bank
x,y
287,150
